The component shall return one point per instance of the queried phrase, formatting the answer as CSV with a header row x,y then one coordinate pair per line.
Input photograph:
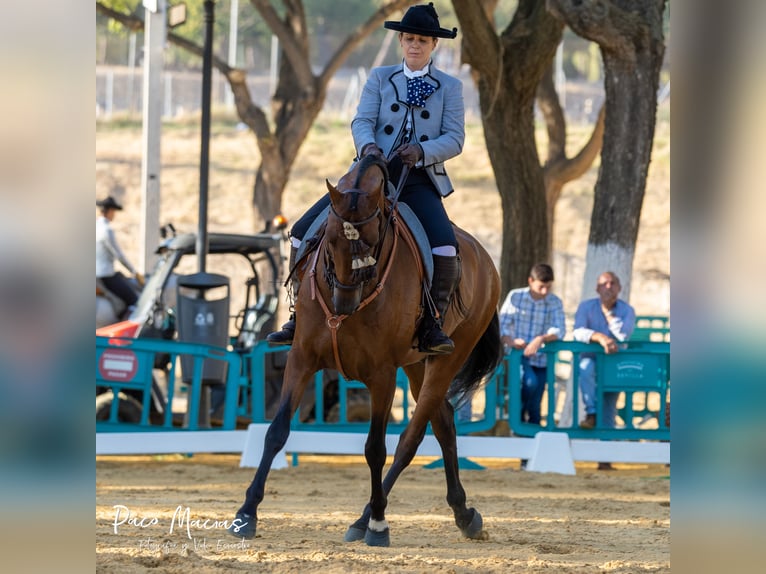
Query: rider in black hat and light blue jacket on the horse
x,y
411,114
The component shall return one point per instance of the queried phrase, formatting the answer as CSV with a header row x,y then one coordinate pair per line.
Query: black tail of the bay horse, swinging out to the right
x,y
483,361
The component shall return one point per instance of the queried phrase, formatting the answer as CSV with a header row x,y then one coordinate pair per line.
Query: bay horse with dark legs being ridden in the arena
x,y
358,313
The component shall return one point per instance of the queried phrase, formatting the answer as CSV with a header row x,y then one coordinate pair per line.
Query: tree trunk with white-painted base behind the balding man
x,y
630,35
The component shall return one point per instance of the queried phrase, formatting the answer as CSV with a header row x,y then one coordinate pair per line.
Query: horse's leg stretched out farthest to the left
x,y
246,519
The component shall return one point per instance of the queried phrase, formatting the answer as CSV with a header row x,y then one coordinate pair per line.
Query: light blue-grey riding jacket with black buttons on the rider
x,y
439,127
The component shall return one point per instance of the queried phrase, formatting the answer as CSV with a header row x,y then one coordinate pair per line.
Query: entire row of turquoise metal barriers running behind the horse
x,y
640,370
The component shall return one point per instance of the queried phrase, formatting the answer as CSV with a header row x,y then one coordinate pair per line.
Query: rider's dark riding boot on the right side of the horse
x,y
433,341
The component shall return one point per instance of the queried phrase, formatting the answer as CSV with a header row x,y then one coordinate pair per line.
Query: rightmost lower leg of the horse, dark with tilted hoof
x,y
468,520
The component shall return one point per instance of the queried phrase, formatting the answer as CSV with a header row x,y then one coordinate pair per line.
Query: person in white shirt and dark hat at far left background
x,y
107,250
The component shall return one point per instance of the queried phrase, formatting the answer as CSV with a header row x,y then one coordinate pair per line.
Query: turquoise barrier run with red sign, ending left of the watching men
x,y
130,365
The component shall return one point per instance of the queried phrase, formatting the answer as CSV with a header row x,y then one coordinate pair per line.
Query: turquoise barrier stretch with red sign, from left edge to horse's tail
x,y
130,368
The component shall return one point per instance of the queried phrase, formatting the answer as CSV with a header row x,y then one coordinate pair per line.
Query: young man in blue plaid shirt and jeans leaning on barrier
x,y
530,317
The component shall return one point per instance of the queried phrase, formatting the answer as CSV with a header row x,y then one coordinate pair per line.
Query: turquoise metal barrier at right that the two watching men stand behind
x,y
639,368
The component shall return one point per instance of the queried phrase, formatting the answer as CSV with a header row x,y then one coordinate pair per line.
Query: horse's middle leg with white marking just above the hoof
x,y
372,525
